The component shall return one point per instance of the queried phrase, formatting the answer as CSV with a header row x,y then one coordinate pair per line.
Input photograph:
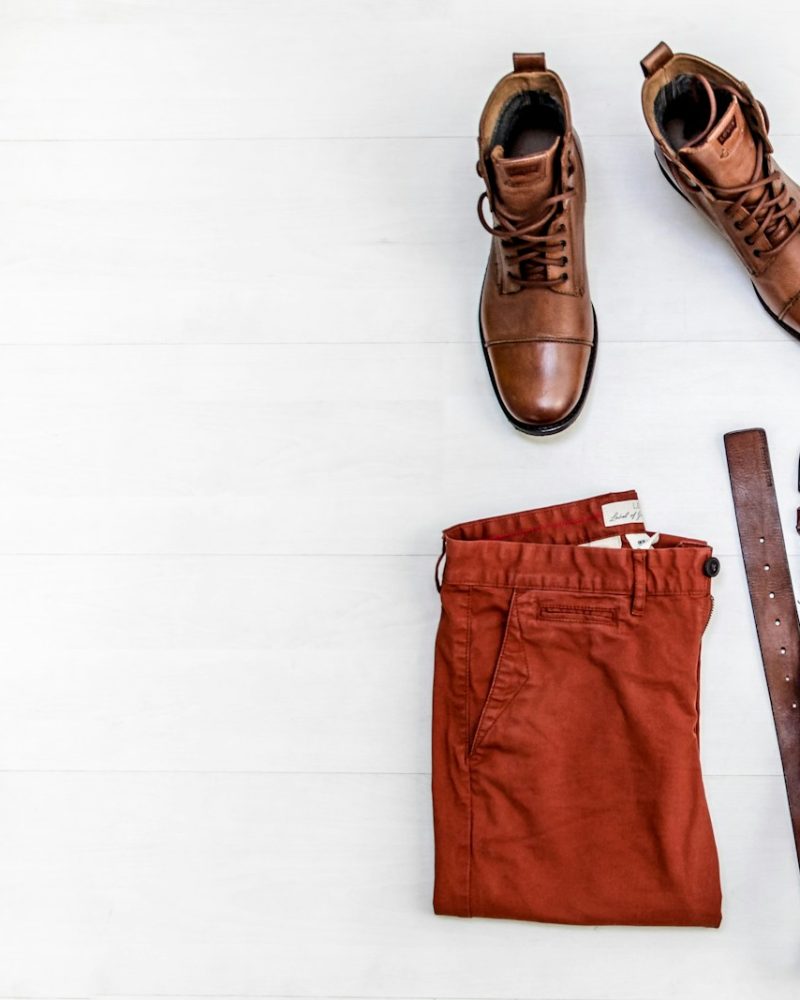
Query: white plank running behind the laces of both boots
x,y
330,241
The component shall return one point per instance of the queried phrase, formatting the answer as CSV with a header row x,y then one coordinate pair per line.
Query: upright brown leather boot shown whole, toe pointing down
x,y
537,323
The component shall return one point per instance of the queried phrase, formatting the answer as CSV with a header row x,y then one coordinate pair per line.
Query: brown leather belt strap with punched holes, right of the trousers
x,y
772,596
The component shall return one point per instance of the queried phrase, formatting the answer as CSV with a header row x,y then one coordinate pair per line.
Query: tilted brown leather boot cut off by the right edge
x,y
712,146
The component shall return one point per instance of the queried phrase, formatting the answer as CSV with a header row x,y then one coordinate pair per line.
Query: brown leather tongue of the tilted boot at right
x,y
726,155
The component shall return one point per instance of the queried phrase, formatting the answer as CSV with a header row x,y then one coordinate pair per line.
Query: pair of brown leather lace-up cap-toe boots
x,y
538,326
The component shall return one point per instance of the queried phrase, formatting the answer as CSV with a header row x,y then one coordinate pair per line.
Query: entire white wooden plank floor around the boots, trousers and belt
x,y
240,394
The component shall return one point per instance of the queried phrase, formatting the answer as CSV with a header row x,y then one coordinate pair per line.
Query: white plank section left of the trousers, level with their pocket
x,y
216,664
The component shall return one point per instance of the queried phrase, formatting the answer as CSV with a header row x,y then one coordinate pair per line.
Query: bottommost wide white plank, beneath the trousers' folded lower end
x,y
299,885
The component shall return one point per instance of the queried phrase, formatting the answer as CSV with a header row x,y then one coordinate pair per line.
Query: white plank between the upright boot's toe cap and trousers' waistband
x,y
315,449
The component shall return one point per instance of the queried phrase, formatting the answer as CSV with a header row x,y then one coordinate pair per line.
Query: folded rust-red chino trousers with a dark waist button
x,y
566,771
